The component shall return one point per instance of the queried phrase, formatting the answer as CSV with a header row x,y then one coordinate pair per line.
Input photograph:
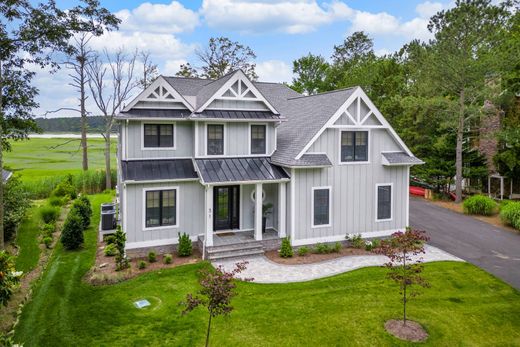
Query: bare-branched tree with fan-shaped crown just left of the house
x,y
111,82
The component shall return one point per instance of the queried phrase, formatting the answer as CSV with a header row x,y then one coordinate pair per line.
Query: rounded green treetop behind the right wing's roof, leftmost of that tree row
x,y
311,73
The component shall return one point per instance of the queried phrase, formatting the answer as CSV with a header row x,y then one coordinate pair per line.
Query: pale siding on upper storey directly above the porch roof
x,y
236,137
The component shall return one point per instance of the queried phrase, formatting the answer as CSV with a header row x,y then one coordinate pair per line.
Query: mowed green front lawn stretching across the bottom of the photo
x,y
465,306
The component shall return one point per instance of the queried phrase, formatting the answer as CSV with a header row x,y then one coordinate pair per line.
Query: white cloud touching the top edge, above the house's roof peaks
x,y
289,16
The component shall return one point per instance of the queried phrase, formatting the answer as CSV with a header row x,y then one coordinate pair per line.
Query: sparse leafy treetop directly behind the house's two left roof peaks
x,y
222,56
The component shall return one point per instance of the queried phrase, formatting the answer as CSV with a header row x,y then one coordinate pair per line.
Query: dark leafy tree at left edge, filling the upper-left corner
x,y
32,34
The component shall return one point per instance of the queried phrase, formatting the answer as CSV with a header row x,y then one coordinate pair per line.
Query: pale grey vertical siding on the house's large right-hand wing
x,y
353,193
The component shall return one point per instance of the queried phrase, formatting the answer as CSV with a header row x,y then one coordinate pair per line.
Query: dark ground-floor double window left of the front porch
x,y
161,208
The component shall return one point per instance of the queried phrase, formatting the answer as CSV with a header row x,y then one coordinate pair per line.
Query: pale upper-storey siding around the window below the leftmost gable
x,y
183,141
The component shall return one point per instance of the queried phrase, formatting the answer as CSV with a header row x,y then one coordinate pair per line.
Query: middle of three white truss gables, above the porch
x,y
238,93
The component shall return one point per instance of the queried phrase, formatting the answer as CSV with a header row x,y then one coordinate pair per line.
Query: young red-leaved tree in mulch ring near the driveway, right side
x,y
402,268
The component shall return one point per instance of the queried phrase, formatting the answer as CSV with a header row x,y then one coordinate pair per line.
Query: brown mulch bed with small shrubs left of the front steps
x,y
104,271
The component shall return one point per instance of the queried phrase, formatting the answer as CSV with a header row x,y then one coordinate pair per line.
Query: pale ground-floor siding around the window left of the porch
x,y
190,220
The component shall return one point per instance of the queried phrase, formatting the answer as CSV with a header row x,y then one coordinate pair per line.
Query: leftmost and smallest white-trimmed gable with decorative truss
x,y
159,94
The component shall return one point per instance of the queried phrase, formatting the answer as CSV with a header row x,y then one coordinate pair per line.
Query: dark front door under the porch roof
x,y
227,207
